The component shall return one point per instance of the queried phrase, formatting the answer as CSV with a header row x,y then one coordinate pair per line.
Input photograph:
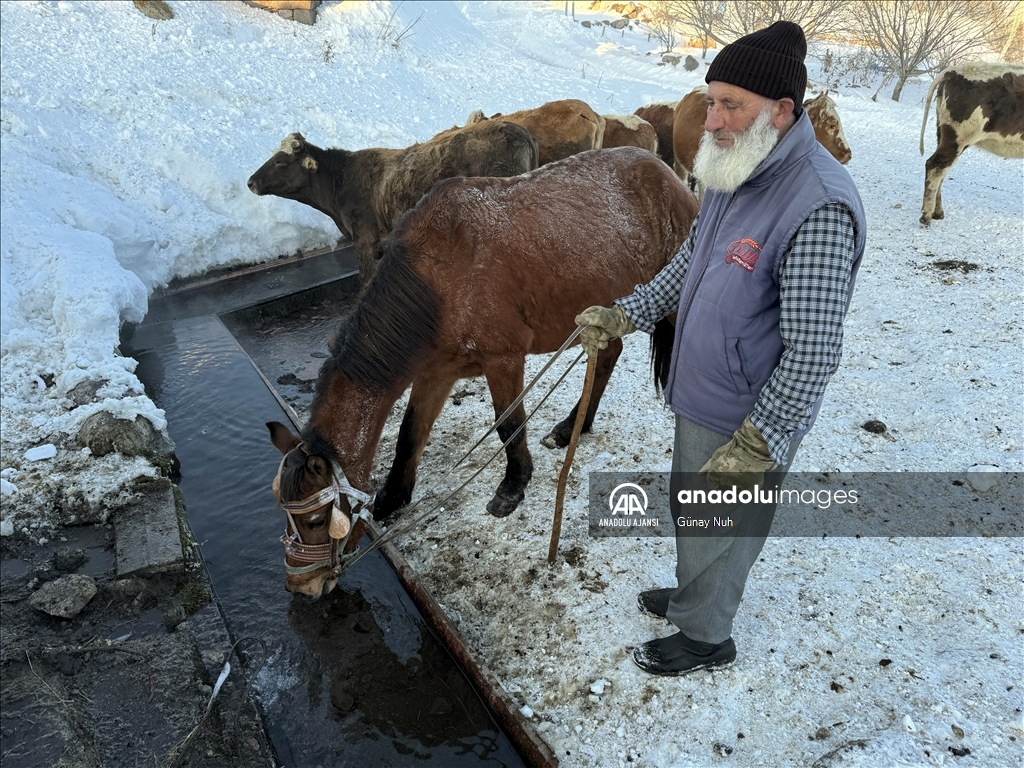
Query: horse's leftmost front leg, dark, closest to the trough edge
x,y
425,403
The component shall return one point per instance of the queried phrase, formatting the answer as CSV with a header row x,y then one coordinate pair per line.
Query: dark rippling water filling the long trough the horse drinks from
x,y
356,678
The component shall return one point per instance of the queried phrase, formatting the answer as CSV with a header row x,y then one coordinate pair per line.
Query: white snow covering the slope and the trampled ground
x,y
126,147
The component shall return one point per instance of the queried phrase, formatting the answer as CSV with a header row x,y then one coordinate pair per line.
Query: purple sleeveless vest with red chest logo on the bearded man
x,y
728,337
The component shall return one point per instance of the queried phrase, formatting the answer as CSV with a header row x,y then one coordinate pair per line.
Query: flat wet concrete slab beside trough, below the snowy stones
x,y
146,533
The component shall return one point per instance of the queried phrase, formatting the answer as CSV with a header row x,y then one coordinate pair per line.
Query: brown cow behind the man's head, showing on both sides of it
x,y
692,113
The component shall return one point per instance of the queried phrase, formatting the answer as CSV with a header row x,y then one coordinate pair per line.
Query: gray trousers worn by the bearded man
x,y
712,572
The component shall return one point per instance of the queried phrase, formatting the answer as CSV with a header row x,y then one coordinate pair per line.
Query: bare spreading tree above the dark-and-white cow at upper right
x,y
915,37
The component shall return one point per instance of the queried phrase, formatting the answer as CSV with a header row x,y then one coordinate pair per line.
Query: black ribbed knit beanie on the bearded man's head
x,y
770,63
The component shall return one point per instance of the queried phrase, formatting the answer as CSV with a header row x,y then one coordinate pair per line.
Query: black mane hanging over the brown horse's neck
x,y
394,324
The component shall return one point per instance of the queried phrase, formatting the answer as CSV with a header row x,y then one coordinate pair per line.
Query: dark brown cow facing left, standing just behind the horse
x,y
367,191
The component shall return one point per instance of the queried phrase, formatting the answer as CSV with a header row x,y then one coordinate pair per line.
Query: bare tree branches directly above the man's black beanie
x,y
818,18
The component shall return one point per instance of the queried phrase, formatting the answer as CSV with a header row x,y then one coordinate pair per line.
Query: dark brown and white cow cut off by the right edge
x,y
980,105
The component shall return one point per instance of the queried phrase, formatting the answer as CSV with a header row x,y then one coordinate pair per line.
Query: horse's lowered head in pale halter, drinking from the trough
x,y
319,502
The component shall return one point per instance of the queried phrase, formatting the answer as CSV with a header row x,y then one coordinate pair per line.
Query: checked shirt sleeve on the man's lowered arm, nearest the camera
x,y
815,281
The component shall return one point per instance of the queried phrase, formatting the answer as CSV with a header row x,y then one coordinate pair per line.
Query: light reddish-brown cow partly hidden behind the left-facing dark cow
x,y
562,129
